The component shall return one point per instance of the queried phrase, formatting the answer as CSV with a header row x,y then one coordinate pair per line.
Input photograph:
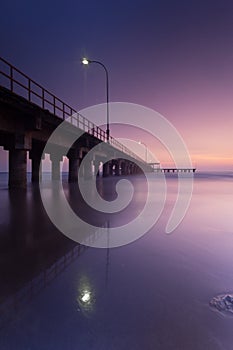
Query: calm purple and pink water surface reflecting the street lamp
x,y
151,294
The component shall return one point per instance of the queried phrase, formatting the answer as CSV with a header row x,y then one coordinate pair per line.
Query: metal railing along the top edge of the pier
x,y
18,82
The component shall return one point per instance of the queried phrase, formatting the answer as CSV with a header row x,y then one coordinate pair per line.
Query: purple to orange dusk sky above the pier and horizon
x,y
175,57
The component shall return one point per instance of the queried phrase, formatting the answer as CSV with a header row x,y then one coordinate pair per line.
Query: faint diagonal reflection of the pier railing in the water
x,y
15,303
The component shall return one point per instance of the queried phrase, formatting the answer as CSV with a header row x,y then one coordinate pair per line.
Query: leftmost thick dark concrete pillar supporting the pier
x,y
17,168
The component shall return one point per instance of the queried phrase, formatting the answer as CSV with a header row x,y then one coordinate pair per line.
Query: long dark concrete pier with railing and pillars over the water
x,y
29,114
